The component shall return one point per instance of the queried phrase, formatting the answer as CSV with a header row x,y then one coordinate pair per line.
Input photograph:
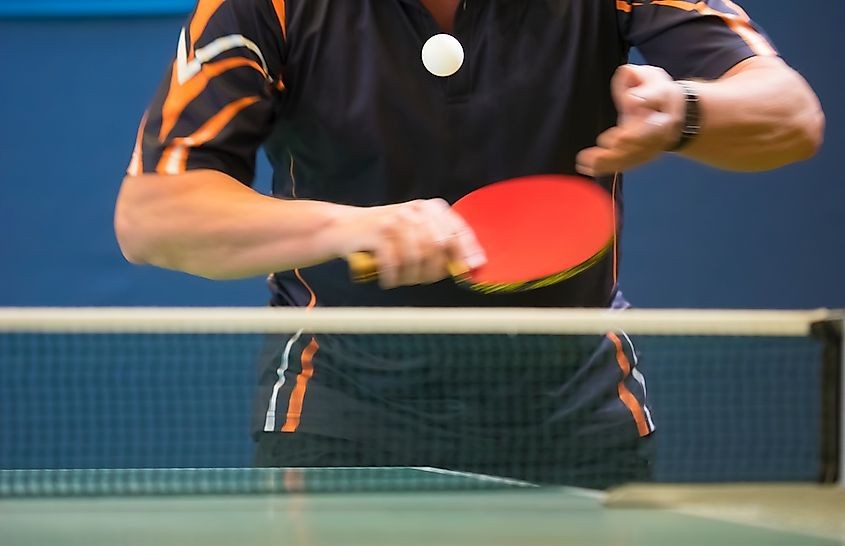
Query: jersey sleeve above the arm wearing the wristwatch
x,y
692,38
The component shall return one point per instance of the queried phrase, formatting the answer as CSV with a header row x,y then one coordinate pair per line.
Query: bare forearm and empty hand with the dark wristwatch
x,y
759,116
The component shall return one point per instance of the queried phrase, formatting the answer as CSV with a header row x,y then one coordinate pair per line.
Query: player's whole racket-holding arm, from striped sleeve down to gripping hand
x,y
201,221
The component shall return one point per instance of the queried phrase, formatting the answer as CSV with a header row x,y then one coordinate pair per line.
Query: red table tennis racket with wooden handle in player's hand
x,y
535,230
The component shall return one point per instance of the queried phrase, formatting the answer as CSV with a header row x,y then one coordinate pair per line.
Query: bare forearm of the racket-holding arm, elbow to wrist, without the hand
x,y
208,224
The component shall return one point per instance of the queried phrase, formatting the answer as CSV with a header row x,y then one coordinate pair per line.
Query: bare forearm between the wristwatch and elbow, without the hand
x,y
760,116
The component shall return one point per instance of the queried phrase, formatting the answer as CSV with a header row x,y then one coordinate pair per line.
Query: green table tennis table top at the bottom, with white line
x,y
304,507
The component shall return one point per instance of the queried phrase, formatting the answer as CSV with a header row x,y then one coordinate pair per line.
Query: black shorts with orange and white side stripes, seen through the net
x,y
548,409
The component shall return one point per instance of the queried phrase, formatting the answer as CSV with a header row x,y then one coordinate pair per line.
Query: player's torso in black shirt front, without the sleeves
x,y
362,122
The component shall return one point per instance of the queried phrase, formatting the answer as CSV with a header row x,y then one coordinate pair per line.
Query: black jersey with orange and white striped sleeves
x,y
336,93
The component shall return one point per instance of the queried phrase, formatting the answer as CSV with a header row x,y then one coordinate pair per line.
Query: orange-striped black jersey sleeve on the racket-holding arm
x,y
217,101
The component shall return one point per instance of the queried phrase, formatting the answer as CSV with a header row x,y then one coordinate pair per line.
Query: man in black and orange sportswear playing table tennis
x,y
368,149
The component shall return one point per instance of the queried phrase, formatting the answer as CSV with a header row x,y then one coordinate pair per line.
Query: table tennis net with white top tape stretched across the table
x,y
184,401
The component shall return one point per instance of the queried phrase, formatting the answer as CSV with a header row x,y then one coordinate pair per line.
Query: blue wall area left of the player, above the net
x,y
71,100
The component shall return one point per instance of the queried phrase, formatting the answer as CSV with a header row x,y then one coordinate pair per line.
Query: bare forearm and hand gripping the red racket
x,y
208,224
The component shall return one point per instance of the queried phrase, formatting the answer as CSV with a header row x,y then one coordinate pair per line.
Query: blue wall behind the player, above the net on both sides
x,y
73,90
